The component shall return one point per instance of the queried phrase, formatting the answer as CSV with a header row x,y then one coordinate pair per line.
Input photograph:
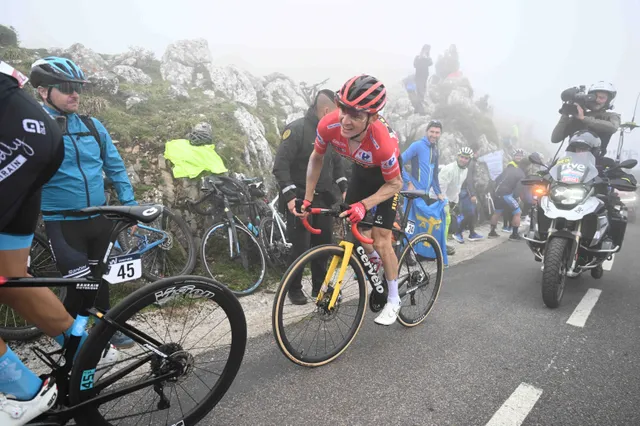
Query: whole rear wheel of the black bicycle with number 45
x,y
183,314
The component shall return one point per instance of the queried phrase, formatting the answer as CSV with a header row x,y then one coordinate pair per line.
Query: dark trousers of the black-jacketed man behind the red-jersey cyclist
x,y
302,240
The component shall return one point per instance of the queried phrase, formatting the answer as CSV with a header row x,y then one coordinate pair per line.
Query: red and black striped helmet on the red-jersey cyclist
x,y
363,93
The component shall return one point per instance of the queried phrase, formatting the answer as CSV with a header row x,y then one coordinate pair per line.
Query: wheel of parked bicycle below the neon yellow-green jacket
x,y
239,264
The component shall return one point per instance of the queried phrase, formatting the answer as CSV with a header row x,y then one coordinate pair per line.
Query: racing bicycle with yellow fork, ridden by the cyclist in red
x,y
315,334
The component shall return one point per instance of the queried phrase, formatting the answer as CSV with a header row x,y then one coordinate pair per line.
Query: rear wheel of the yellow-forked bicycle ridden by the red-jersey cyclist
x,y
419,280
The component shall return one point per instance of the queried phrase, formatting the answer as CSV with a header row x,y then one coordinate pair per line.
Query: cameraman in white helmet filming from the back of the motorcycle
x,y
588,111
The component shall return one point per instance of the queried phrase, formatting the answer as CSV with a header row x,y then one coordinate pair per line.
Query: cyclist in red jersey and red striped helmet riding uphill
x,y
357,132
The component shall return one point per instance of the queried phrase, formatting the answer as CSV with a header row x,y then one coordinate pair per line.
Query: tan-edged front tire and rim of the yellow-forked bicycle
x,y
277,320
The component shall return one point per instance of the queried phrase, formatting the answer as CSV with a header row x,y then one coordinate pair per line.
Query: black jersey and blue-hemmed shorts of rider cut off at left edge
x,y
31,150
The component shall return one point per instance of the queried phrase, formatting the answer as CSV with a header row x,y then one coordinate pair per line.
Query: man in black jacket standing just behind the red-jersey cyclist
x,y
290,170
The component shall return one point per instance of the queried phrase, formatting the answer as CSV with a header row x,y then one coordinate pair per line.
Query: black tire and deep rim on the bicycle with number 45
x,y
99,337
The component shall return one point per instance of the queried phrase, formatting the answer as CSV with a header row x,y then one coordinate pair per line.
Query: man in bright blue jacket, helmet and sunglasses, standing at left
x,y
78,242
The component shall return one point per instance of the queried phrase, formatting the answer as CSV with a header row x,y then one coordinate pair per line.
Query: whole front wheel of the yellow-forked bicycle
x,y
335,329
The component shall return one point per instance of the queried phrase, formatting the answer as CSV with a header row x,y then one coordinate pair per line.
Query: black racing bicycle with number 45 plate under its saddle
x,y
190,334
